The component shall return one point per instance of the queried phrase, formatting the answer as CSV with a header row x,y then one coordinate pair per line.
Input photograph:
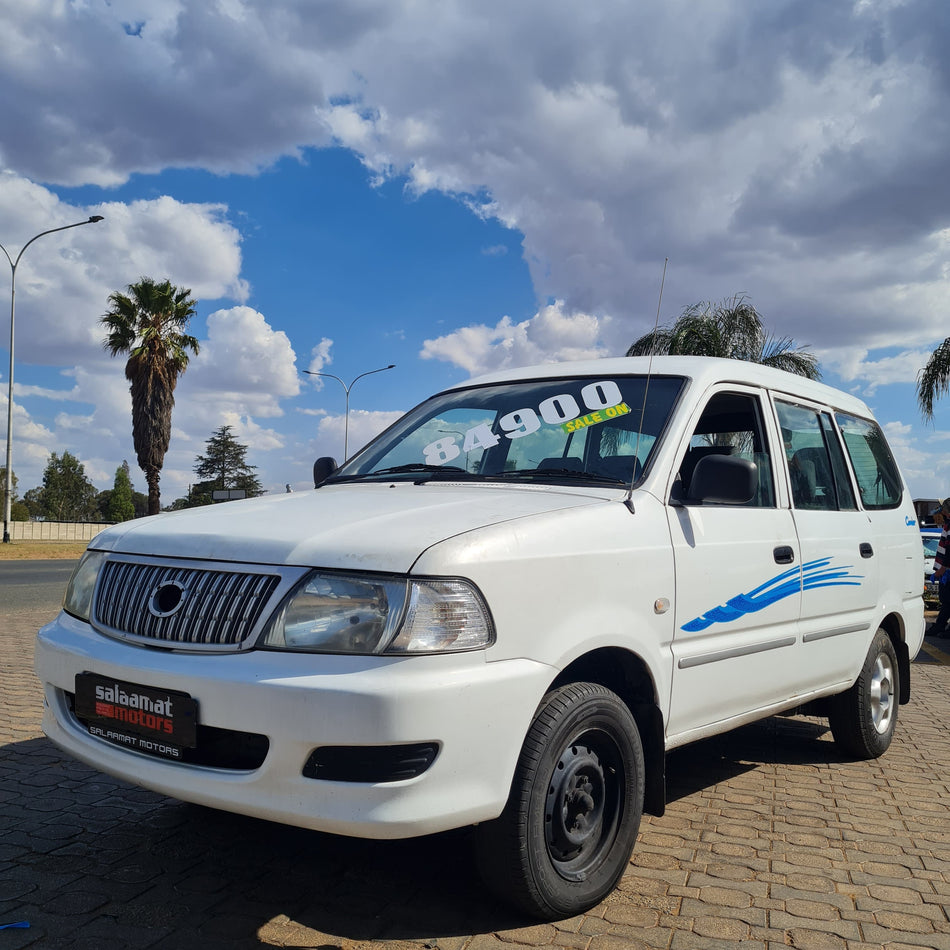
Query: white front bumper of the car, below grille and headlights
x,y
476,712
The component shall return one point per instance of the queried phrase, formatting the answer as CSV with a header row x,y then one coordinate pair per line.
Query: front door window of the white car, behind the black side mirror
x,y
731,424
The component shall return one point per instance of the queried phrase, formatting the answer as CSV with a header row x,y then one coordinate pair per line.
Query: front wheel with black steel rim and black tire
x,y
566,834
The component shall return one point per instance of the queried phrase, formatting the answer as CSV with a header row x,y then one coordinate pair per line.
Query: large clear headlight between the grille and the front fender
x,y
366,614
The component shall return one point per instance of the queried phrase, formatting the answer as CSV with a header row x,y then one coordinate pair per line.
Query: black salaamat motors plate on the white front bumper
x,y
158,721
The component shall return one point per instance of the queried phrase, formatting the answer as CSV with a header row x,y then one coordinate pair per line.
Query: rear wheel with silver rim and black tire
x,y
863,718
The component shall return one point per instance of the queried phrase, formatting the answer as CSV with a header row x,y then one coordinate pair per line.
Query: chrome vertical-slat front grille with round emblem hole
x,y
173,604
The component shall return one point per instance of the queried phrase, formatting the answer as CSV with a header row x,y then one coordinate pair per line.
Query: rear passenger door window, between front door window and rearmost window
x,y
816,467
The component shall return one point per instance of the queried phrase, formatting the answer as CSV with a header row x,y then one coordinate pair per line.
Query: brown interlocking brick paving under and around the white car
x,y
770,840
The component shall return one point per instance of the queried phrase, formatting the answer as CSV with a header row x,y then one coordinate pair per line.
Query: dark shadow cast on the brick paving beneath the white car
x,y
88,860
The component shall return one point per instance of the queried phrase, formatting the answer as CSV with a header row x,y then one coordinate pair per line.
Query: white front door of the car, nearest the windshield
x,y
738,581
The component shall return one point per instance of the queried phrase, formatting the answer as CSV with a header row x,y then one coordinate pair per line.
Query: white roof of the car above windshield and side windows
x,y
703,370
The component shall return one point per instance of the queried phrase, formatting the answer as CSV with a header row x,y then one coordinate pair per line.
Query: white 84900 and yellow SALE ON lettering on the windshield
x,y
602,400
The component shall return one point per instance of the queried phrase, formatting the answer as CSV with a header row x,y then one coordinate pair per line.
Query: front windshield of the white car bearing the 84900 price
x,y
576,428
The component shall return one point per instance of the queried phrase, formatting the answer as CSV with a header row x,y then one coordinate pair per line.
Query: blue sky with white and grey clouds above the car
x,y
456,187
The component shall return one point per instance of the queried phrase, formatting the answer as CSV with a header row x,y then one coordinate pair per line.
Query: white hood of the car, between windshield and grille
x,y
375,526
